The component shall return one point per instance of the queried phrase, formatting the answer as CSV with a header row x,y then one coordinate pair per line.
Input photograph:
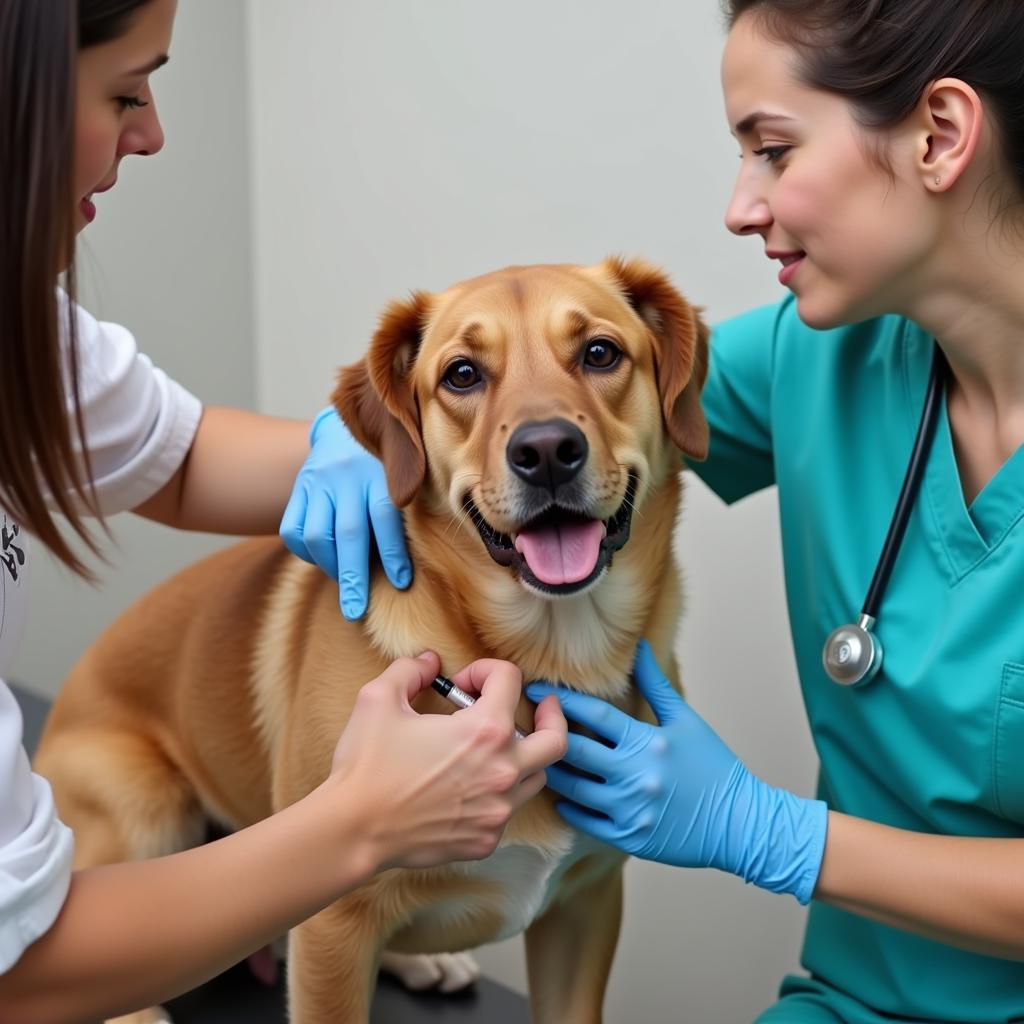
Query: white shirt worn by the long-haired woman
x,y
140,426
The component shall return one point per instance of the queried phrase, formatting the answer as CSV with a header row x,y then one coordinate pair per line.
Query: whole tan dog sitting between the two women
x,y
531,422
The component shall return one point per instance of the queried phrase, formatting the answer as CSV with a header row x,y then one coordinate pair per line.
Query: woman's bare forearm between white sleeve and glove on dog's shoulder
x,y
238,477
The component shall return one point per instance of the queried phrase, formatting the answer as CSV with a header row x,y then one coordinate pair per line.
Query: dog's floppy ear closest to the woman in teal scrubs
x,y
680,349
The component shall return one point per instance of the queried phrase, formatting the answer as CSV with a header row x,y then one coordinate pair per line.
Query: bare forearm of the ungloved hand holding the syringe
x,y
133,935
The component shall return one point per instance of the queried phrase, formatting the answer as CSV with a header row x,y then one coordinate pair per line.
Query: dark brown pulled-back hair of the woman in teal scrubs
x,y
882,55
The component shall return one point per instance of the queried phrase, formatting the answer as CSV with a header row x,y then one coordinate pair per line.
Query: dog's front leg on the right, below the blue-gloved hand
x,y
570,952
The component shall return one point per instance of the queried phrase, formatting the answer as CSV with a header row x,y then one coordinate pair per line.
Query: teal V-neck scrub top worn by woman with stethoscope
x,y
936,743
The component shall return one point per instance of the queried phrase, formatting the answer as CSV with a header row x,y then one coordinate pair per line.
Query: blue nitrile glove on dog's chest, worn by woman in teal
x,y
676,794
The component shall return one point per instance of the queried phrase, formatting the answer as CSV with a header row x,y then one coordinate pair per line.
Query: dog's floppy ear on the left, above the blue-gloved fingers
x,y
376,399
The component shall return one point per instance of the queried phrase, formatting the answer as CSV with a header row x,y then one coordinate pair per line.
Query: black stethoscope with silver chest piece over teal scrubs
x,y
852,655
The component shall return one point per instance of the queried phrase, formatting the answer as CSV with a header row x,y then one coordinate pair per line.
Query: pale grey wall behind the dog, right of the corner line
x,y
402,145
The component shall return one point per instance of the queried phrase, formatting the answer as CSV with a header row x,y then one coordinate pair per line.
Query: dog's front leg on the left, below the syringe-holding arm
x,y
332,966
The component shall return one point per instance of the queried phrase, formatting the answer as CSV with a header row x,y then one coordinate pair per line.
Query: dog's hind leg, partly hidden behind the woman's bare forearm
x,y
124,801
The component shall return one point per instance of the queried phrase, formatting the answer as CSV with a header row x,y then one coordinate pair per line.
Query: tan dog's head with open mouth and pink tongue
x,y
543,403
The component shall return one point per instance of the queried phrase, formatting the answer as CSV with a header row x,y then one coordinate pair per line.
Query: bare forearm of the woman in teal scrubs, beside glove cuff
x,y
964,892
